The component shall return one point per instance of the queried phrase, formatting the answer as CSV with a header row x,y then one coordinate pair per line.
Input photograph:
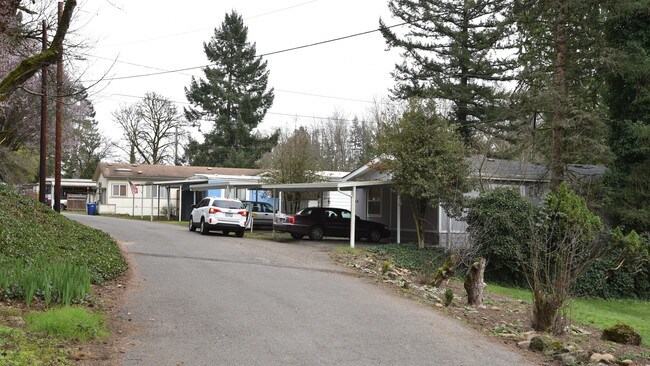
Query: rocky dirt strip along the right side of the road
x,y
502,318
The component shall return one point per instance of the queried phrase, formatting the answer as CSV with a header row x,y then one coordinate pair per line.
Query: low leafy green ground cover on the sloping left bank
x,y
31,230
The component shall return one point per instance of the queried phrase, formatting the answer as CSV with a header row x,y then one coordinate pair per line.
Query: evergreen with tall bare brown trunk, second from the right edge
x,y
559,91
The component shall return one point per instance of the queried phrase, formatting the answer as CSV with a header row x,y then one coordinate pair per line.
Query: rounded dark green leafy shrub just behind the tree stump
x,y
499,223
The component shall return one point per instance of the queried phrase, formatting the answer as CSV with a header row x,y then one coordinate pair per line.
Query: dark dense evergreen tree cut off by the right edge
x,y
628,97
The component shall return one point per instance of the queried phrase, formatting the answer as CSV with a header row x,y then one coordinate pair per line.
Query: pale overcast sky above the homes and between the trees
x,y
168,35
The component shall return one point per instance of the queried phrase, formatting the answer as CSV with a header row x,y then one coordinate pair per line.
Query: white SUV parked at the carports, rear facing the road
x,y
215,213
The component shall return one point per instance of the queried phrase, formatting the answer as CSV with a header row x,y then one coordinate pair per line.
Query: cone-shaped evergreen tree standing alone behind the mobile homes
x,y
234,96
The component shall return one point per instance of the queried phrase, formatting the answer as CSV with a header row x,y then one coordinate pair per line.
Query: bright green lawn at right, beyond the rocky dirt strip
x,y
597,313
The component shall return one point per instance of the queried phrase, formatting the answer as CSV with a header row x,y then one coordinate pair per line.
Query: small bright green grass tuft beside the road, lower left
x,y
69,323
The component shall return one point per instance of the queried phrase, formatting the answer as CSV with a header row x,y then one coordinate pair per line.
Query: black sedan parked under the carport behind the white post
x,y
317,222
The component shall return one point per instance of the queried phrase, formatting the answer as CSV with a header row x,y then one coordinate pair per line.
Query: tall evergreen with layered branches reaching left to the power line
x,y
454,51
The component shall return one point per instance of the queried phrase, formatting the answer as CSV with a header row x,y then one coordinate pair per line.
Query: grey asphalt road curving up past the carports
x,y
216,300
